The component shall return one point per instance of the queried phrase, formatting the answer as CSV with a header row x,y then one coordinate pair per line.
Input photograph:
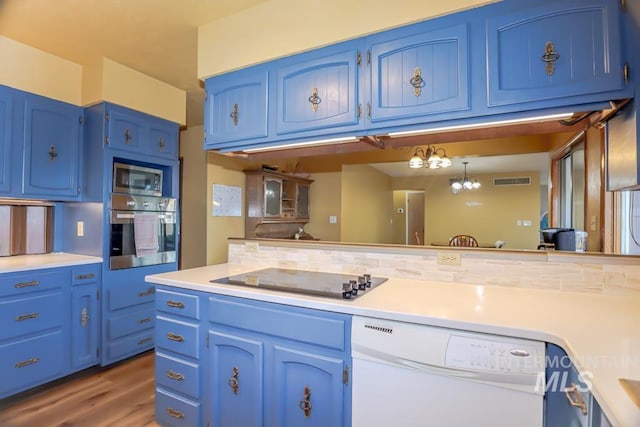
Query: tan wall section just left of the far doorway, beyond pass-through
x,y
366,206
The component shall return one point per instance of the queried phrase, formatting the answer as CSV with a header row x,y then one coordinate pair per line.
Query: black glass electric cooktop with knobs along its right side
x,y
333,285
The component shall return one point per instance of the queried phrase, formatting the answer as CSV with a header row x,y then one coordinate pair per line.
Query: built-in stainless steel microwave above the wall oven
x,y
133,179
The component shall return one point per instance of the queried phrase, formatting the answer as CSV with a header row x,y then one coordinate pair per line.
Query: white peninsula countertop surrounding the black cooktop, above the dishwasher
x,y
601,334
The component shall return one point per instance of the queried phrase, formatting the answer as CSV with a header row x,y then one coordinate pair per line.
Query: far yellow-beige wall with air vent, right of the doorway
x,y
489,213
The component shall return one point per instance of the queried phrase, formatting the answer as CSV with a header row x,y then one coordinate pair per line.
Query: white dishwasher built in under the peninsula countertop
x,y
411,375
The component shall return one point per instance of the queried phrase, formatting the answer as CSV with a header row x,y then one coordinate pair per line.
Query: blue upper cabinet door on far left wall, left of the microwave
x,y
52,143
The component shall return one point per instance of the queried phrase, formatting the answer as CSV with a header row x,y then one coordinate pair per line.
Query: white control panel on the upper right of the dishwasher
x,y
504,355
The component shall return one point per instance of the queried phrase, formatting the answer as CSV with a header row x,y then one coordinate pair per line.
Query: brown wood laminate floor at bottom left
x,y
121,395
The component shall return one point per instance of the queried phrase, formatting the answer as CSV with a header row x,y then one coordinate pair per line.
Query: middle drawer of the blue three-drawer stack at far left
x,y
28,315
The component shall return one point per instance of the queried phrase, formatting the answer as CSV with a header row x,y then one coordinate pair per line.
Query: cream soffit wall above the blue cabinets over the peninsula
x,y
267,31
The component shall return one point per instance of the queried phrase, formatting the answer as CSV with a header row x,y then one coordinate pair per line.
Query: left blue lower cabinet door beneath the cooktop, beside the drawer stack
x,y
236,372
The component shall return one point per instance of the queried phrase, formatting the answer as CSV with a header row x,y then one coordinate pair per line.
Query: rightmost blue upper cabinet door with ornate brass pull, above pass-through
x,y
564,51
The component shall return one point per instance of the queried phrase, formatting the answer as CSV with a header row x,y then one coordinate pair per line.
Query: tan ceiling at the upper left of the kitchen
x,y
155,37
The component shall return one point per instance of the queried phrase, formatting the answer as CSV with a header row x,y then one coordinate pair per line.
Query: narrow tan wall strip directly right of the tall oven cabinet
x,y
193,213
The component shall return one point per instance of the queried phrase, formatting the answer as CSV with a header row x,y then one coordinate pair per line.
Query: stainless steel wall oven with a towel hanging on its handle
x,y
142,231
